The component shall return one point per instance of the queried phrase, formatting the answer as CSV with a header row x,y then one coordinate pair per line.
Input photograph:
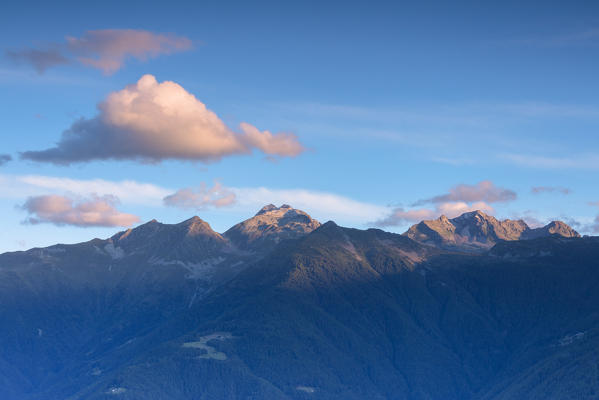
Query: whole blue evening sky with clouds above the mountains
x,y
371,114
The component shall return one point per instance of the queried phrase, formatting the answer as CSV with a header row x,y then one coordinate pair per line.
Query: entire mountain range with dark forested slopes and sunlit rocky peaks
x,y
281,306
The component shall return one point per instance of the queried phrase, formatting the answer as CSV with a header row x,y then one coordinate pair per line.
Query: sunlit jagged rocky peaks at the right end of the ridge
x,y
477,231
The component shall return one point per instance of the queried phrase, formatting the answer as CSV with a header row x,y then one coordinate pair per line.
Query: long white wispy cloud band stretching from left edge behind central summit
x,y
322,205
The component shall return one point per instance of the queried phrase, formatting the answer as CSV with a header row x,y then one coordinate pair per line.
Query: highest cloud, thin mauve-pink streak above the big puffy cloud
x,y
106,49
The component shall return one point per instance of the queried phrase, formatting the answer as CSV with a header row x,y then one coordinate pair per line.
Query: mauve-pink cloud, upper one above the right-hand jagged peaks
x,y
484,191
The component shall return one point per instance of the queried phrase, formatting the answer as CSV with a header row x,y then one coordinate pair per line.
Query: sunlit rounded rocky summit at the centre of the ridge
x,y
269,226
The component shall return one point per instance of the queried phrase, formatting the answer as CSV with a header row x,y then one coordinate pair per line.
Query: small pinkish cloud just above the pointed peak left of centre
x,y
201,197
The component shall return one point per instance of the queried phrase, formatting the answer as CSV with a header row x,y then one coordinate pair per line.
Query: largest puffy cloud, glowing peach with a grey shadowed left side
x,y
150,121
